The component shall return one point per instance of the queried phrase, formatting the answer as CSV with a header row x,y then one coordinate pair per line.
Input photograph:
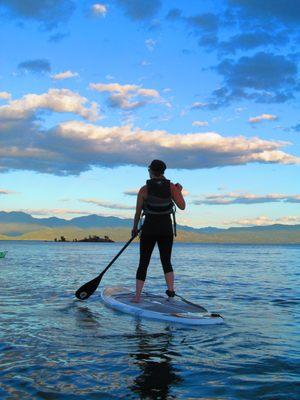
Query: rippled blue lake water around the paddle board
x,y
53,346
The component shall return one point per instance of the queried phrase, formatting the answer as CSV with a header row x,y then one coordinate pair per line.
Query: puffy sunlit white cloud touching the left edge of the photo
x,y
57,100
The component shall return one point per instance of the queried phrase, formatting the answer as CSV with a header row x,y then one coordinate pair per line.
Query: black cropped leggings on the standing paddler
x,y
147,244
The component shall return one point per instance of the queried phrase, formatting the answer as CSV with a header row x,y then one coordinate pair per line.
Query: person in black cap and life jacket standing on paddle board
x,y
156,201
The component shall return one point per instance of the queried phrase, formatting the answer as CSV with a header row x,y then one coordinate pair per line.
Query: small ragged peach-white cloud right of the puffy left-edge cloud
x,y
127,97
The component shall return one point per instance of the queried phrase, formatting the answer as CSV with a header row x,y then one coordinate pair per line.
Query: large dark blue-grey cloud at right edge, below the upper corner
x,y
262,77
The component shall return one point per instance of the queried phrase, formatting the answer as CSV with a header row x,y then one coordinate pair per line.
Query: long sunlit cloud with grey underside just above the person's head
x,y
124,145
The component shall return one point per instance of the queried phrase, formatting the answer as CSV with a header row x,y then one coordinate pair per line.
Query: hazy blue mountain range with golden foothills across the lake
x,y
23,226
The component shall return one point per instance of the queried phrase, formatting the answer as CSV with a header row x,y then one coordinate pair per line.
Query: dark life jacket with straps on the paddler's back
x,y
159,199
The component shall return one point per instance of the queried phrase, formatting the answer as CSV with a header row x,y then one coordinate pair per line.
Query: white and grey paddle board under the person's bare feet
x,y
158,307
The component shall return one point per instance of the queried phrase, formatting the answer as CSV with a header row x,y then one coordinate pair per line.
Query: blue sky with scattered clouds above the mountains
x,y
92,92
